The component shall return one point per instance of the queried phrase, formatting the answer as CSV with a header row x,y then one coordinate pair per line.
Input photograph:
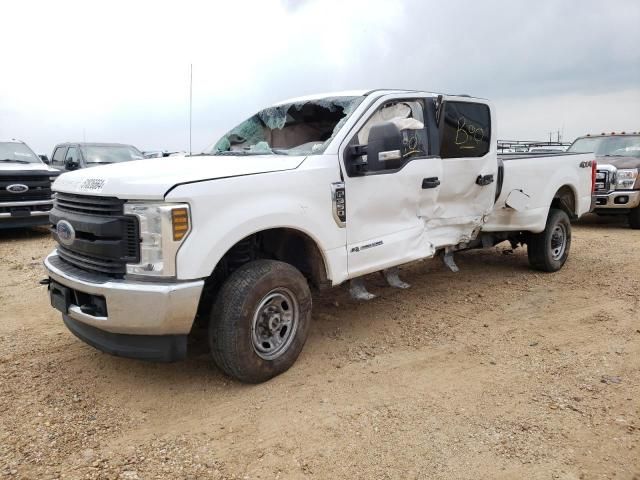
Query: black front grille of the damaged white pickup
x,y
105,239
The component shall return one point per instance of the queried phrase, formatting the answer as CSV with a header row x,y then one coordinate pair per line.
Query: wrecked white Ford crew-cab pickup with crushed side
x,y
308,193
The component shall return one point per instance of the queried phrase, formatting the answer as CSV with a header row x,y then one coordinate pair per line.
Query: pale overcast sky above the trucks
x,y
120,71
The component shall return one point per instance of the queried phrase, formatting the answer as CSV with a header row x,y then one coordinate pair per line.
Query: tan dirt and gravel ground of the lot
x,y
494,372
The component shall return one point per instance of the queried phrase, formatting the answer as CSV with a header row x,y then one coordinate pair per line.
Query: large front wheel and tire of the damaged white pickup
x,y
237,344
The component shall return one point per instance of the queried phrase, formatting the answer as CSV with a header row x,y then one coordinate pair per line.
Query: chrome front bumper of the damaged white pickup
x,y
132,308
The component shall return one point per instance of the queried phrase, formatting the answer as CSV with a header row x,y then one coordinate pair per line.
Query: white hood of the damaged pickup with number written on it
x,y
151,179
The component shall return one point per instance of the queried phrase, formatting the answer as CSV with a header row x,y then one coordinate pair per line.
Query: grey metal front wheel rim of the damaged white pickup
x,y
275,322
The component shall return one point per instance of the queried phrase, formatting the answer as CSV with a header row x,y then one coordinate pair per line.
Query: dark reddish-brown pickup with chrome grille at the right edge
x,y
617,185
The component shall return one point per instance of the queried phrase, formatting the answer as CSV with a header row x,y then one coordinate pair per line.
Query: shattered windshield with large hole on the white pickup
x,y
301,128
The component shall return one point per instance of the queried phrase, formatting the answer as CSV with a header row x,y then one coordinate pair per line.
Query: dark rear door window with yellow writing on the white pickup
x,y
465,130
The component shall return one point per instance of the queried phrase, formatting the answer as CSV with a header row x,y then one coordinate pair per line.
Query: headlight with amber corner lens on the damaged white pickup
x,y
163,228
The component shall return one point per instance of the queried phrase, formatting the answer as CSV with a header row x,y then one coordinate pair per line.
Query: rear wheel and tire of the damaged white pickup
x,y
549,250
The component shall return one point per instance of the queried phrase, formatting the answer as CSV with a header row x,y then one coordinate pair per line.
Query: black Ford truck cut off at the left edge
x,y
25,186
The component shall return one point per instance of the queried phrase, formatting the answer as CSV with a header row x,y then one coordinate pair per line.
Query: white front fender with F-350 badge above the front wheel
x,y
223,213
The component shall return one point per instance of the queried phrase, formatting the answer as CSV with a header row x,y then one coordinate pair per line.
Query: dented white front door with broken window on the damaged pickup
x,y
387,200
